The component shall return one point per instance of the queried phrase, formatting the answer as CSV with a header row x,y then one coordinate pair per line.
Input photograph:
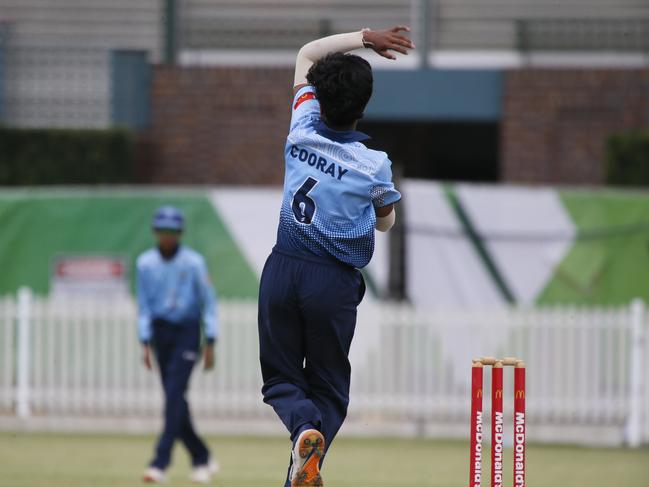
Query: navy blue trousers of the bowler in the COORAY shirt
x,y
307,317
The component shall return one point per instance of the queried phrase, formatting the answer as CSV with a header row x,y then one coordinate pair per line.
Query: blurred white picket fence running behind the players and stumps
x,y
587,368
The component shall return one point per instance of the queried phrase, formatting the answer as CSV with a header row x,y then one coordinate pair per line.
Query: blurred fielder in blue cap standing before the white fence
x,y
175,296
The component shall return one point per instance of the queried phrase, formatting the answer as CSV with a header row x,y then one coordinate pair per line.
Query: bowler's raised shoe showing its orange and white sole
x,y
307,453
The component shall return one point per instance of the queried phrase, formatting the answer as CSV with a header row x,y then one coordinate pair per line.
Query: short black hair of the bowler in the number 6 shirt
x,y
343,86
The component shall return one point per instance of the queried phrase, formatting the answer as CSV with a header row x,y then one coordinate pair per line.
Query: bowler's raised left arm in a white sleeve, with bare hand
x,y
382,42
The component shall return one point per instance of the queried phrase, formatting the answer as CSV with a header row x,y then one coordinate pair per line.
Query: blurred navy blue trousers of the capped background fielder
x,y
177,349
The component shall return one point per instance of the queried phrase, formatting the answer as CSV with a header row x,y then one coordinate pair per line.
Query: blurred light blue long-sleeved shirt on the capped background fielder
x,y
177,290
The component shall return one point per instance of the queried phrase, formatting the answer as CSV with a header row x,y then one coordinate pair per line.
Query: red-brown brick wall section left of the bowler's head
x,y
218,125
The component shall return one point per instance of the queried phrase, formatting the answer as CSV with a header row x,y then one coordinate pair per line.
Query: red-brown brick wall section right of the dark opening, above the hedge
x,y
555,122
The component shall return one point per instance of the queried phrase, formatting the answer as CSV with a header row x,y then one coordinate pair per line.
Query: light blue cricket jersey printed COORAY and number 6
x,y
331,186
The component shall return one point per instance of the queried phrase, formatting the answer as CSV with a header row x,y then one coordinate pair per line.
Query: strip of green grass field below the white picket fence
x,y
55,460
